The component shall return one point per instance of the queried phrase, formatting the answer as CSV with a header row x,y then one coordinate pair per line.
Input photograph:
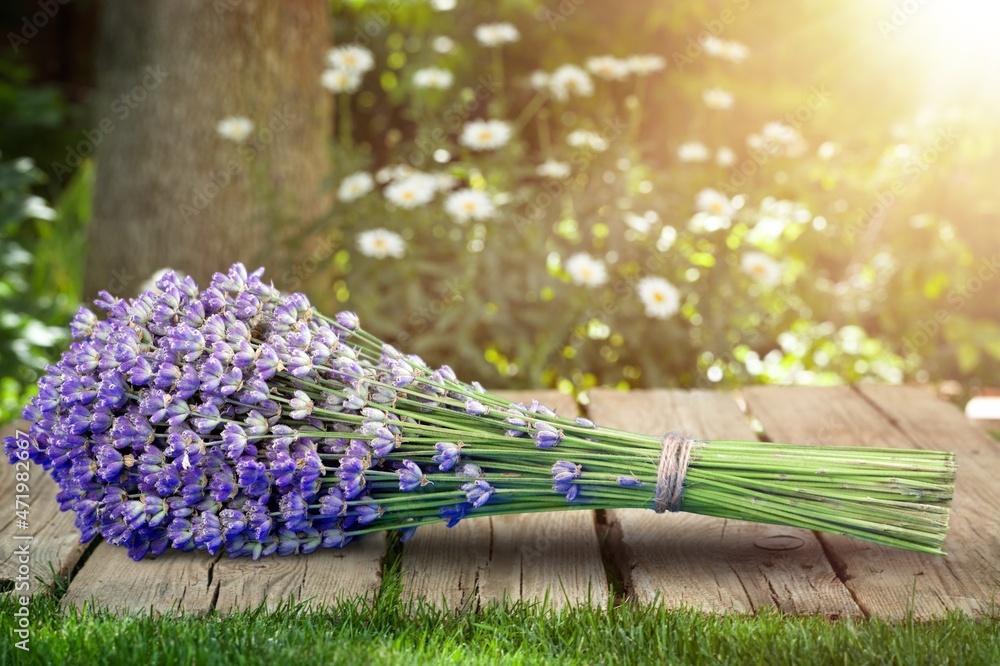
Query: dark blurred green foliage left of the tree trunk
x,y
41,245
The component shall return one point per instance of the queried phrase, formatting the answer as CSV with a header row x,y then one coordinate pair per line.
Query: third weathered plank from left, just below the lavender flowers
x,y
318,579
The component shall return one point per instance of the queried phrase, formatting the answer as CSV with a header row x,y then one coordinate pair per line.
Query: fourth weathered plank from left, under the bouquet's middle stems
x,y
550,556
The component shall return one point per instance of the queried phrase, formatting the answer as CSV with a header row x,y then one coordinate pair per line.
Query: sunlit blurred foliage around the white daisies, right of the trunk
x,y
884,272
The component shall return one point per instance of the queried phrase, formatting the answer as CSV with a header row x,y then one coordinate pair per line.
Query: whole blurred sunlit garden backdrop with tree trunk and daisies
x,y
566,194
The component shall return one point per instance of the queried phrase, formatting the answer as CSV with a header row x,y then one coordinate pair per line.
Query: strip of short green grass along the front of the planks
x,y
351,634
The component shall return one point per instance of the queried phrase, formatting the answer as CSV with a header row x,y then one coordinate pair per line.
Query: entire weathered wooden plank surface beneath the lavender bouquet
x,y
583,557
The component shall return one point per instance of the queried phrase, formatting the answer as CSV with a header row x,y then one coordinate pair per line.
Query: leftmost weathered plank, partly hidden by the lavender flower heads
x,y
54,543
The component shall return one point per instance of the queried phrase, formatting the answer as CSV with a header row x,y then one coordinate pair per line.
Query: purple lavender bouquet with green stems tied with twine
x,y
238,417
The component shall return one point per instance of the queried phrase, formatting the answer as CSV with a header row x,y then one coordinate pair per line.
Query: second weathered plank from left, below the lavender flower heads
x,y
174,582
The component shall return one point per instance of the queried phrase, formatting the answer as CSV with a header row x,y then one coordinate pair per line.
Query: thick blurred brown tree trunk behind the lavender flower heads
x,y
170,191
